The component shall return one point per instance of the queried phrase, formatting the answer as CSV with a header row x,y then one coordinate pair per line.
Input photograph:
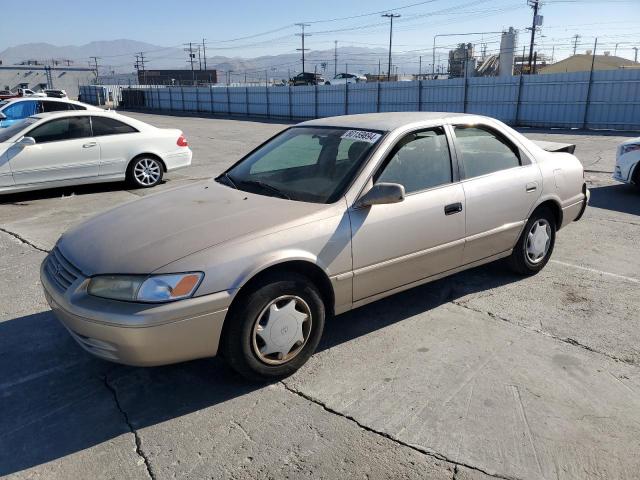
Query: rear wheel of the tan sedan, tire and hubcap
x,y
531,254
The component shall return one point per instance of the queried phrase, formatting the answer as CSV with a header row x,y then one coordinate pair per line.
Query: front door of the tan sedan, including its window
x,y
397,244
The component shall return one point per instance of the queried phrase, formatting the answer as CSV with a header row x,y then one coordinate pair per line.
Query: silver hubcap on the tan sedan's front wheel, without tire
x,y
281,330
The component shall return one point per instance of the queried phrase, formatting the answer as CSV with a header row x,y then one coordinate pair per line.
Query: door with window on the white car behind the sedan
x,y
64,150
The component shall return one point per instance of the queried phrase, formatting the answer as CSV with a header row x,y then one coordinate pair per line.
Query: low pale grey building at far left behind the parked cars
x,y
39,77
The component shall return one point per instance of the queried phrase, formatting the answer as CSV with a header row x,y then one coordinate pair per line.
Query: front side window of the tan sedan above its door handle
x,y
419,161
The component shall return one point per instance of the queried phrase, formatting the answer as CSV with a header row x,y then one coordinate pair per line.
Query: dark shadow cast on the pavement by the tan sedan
x,y
56,400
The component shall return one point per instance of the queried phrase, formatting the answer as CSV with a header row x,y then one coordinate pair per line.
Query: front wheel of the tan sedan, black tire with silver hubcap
x,y
242,343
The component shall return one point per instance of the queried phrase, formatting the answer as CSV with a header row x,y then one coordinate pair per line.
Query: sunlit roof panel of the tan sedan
x,y
386,121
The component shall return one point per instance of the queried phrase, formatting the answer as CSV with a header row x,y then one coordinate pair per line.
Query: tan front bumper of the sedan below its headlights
x,y
134,333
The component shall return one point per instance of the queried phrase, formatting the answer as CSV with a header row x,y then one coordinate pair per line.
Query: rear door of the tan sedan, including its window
x,y
500,185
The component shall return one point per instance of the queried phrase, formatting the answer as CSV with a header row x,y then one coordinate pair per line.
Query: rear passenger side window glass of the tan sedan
x,y
484,152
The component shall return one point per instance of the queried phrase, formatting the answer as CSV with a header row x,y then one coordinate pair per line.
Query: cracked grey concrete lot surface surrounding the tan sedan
x,y
483,374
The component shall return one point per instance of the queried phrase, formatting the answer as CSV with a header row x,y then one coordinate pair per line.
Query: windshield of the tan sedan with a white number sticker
x,y
308,164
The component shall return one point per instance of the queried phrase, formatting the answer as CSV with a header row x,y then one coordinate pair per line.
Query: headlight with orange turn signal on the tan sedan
x,y
138,288
